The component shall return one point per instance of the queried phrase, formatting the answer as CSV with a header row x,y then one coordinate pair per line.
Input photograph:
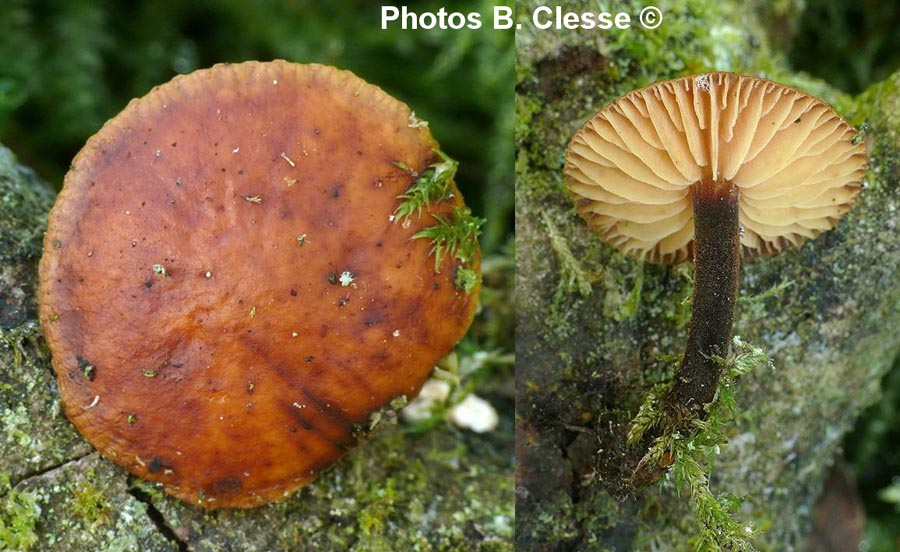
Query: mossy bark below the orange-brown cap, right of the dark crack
x,y
394,492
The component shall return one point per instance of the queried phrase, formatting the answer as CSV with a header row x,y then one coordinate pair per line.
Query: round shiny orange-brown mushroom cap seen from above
x,y
228,287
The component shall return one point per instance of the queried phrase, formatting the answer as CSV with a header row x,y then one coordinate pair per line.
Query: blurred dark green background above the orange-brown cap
x,y
66,66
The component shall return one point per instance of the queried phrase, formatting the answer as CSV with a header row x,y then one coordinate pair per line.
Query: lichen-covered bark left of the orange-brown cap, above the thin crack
x,y
34,434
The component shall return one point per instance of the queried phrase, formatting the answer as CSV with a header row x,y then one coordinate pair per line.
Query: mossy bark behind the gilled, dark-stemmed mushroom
x,y
596,329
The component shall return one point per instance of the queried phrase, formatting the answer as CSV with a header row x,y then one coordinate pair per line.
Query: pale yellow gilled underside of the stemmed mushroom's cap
x,y
793,159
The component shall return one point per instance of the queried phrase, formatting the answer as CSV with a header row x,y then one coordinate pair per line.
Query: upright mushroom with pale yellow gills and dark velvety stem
x,y
710,167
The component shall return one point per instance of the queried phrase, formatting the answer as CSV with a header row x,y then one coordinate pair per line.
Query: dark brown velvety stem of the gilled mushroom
x,y
717,263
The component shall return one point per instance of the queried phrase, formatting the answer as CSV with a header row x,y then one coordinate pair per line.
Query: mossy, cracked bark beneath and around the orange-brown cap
x,y
401,489
